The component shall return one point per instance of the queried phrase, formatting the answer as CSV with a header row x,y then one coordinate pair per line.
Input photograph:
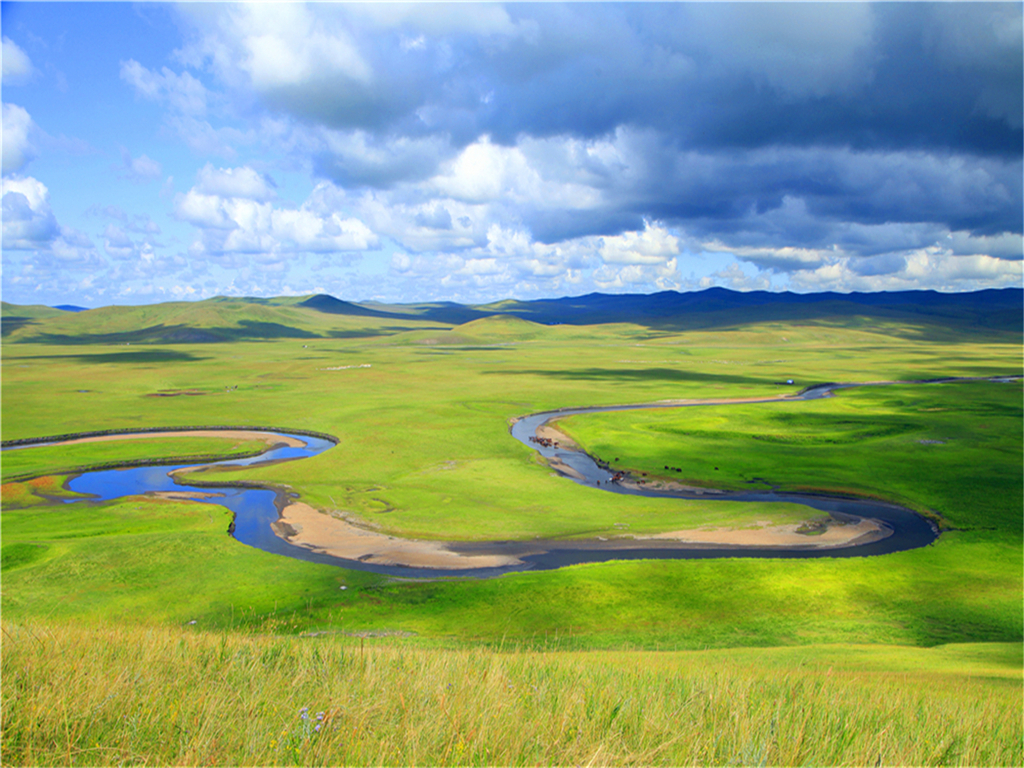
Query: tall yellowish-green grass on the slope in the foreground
x,y
76,696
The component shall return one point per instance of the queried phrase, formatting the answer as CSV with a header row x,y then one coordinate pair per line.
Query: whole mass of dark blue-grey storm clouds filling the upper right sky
x,y
757,125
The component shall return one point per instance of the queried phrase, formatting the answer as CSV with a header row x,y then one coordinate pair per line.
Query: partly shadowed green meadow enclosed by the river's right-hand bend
x,y
949,450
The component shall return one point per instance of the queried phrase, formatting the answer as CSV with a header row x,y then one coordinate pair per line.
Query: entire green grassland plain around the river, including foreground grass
x,y
139,631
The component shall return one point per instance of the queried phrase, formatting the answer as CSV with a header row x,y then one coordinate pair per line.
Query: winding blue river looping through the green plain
x,y
258,510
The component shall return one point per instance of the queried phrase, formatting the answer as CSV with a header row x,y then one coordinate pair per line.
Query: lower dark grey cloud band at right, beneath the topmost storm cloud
x,y
727,193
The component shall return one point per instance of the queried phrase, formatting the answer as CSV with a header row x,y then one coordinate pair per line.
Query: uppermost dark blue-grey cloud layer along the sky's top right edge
x,y
710,75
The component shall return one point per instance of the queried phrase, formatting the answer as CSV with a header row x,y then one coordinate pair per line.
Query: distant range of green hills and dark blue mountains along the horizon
x,y
230,319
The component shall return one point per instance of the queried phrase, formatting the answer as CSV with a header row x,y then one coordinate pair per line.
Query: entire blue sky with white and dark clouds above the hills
x,y
474,153
